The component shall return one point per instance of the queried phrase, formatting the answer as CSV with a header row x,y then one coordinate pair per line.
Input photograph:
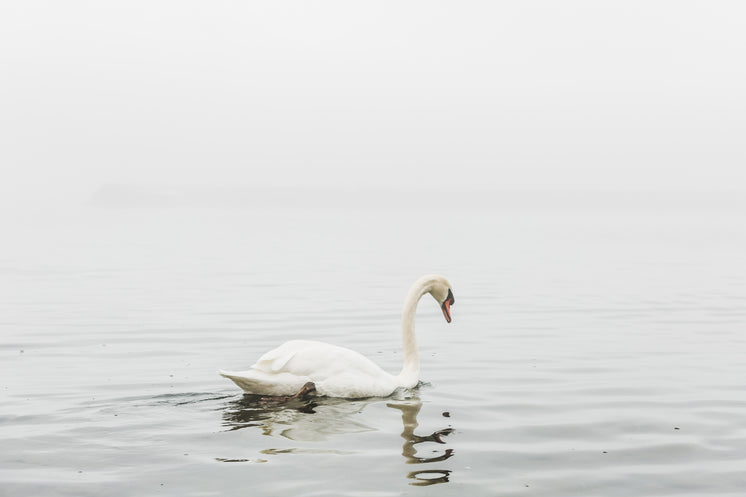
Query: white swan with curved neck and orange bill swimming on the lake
x,y
341,372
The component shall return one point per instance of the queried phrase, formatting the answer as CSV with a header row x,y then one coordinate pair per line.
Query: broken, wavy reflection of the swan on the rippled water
x,y
318,419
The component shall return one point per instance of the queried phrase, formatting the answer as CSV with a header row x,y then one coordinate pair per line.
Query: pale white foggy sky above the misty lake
x,y
539,94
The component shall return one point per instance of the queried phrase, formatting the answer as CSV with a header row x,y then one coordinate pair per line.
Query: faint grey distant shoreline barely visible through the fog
x,y
136,196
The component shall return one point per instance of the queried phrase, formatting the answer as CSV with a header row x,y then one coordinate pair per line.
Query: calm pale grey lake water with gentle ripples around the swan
x,y
598,347
